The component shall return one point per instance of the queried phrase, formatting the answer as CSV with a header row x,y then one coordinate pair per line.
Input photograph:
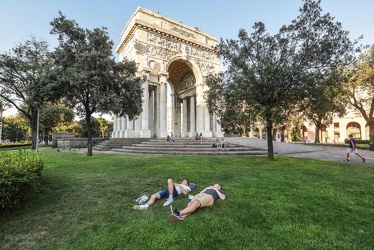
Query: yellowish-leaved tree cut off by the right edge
x,y
360,86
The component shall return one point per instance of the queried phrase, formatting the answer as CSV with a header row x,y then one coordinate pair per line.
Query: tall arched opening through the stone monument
x,y
182,99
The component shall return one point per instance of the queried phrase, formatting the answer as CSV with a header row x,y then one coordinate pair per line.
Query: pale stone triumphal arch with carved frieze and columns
x,y
174,59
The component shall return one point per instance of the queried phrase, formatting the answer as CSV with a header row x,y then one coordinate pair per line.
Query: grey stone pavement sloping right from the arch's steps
x,y
329,152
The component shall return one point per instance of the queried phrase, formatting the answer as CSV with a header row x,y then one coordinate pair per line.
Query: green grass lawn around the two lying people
x,y
288,203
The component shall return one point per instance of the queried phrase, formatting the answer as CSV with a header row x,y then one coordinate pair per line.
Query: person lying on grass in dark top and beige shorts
x,y
205,198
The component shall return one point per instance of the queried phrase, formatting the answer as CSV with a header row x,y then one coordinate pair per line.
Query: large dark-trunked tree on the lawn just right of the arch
x,y
270,74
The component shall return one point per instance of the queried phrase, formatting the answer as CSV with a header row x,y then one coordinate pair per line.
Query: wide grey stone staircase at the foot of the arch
x,y
180,146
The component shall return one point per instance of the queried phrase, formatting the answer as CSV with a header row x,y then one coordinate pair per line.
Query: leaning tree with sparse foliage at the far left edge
x,y
25,76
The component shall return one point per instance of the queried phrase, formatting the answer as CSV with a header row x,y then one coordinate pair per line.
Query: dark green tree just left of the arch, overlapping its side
x,y
92,81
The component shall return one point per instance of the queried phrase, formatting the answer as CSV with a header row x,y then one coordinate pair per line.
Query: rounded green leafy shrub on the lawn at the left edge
x,y
20,176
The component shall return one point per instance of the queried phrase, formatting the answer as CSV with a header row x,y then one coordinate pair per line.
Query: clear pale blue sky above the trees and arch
x,y
22,19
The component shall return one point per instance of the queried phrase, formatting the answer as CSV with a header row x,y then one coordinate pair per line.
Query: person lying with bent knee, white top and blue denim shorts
x,y
173,190
